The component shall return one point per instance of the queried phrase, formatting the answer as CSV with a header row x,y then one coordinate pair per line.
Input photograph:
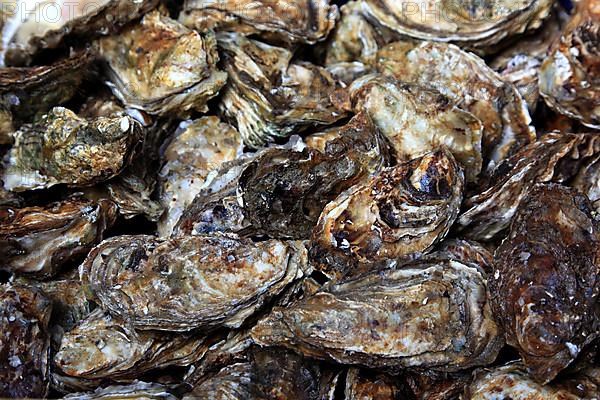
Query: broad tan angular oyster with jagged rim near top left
x,y
162,67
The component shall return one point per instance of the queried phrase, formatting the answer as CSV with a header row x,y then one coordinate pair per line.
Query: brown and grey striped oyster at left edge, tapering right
x,y
40,240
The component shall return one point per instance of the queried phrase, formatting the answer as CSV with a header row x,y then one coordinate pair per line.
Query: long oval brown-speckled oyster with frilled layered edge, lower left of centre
x,y
185,283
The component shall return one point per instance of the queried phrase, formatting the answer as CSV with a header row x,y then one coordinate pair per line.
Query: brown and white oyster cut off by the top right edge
x,y
569,78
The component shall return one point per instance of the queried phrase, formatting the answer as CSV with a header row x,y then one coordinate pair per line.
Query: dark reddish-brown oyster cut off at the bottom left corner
x,y
24,342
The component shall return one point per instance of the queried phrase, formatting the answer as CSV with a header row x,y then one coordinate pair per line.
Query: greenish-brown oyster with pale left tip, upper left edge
x,y
64,148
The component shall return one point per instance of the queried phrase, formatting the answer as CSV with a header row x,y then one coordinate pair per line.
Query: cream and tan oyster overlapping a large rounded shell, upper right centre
x,y
417,119
